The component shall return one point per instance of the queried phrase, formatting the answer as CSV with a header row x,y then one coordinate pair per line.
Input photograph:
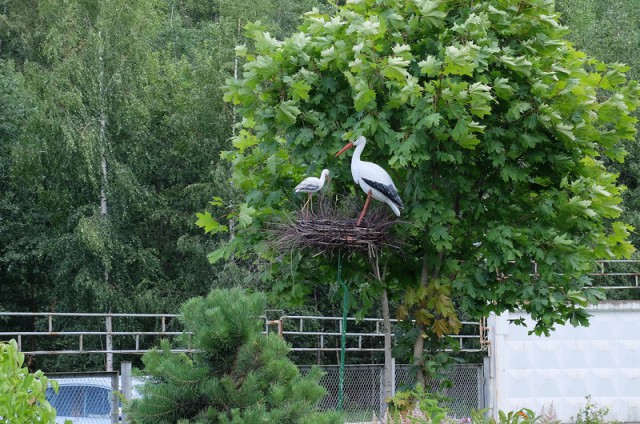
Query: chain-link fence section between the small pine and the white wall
x,y
363,389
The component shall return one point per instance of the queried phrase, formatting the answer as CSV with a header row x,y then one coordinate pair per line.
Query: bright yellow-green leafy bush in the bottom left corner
x,y
22,394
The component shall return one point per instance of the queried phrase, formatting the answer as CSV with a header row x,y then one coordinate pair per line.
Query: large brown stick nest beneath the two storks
x,y
326,225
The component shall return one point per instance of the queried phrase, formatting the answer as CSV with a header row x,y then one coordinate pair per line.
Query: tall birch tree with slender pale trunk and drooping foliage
x,y
87,69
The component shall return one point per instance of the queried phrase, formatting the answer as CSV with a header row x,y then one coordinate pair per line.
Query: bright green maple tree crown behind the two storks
x,y
495,129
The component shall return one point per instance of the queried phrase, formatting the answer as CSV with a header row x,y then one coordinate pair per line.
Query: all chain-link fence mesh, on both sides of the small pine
x,y
91,397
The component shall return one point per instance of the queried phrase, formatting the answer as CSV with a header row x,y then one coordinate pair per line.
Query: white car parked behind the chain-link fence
x,y
84,400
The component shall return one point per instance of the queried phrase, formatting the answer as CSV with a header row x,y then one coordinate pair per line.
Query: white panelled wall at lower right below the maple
x,y
602,360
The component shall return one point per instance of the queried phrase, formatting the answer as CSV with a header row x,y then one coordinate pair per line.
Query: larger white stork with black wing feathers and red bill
x,y
373,180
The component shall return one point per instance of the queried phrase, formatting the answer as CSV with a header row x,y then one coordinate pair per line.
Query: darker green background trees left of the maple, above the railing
x,y
138,85
